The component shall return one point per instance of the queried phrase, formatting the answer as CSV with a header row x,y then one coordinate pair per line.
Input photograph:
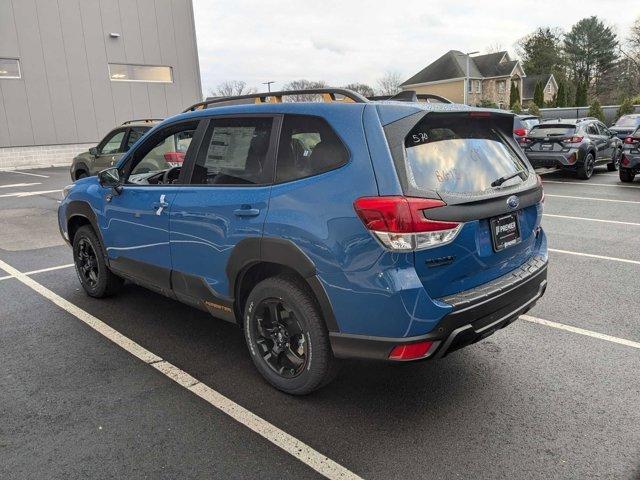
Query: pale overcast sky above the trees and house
x,y
348,41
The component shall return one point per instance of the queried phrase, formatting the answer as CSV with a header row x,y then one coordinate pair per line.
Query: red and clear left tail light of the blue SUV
x,y
399,223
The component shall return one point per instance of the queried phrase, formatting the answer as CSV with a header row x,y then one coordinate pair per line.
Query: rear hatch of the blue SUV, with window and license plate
x,y
459,159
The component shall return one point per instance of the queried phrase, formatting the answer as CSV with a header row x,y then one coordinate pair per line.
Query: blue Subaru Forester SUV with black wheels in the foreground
x,y
386,230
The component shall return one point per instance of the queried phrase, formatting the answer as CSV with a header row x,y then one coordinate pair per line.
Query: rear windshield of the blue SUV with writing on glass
x,y
459,155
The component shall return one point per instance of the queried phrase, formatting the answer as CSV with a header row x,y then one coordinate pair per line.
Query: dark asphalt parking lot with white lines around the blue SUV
x,y
555,395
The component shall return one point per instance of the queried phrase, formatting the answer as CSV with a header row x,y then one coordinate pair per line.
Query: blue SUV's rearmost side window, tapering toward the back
x,y
308,146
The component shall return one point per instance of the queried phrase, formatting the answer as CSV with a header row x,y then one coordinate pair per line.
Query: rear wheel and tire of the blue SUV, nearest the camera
x,y
293,353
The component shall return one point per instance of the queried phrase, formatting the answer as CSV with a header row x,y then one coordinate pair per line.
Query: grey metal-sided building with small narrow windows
x,y
71,70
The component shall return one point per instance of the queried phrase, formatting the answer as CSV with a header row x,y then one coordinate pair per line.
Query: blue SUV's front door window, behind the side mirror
x,y
165,149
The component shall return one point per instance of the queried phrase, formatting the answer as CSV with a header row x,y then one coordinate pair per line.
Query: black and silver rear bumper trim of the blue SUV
x,y
476,314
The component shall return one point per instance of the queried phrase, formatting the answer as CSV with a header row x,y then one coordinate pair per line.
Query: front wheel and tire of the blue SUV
x,y
94,274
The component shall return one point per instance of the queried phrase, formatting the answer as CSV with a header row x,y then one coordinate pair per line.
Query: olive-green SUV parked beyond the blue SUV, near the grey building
x,y
110,149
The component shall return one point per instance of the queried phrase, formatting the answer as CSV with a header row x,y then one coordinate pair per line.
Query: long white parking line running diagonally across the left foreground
x,y
303,452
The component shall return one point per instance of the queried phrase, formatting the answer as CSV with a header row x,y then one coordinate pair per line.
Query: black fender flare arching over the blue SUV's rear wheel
x,y
279,251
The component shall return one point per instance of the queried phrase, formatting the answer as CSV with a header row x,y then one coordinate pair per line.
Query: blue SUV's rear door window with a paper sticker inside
x,y
235,153
